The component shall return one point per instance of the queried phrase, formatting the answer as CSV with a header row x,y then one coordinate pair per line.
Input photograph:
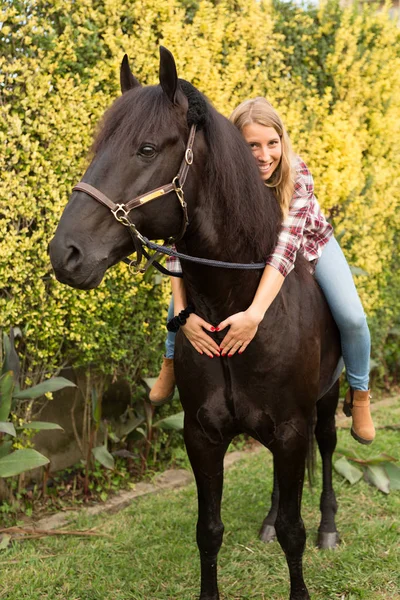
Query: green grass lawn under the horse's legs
x,y
152,555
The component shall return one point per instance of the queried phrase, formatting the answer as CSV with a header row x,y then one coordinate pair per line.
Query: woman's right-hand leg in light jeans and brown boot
x,y
334,276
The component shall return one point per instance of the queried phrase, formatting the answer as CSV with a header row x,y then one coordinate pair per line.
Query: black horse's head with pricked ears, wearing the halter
x,y
140,147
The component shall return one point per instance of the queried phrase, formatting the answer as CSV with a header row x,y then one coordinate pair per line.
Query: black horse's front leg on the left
x,y
207,460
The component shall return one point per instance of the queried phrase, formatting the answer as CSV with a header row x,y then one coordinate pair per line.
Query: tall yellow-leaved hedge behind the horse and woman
x,y
333,73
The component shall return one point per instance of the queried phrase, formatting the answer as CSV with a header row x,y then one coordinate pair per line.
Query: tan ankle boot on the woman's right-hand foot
x,y
356,405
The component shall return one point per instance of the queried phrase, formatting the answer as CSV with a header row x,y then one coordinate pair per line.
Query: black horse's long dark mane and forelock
x,y
247,212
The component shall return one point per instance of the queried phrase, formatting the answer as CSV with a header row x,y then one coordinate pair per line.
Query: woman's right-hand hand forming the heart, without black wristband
x,y
243,328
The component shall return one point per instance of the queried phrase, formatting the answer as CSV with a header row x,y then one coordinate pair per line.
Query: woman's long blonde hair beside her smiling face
x,y
260,111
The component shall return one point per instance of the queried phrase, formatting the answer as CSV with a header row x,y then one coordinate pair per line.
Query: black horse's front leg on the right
x,y
290,451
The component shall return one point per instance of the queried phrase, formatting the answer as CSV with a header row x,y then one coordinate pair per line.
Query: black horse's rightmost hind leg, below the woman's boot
x,y
325,432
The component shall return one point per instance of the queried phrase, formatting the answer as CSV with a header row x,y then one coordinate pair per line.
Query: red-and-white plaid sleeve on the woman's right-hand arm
x,y
291,234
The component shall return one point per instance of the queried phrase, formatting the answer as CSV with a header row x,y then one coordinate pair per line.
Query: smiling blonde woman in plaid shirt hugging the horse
x,y
305,230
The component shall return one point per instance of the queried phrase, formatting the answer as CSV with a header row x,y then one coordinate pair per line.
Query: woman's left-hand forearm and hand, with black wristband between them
x,y
195,328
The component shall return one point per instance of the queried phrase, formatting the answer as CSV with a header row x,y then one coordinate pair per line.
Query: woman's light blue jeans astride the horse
x,y
334,276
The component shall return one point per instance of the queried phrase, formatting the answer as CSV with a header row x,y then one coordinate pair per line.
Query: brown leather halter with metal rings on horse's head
x,y
121,211
